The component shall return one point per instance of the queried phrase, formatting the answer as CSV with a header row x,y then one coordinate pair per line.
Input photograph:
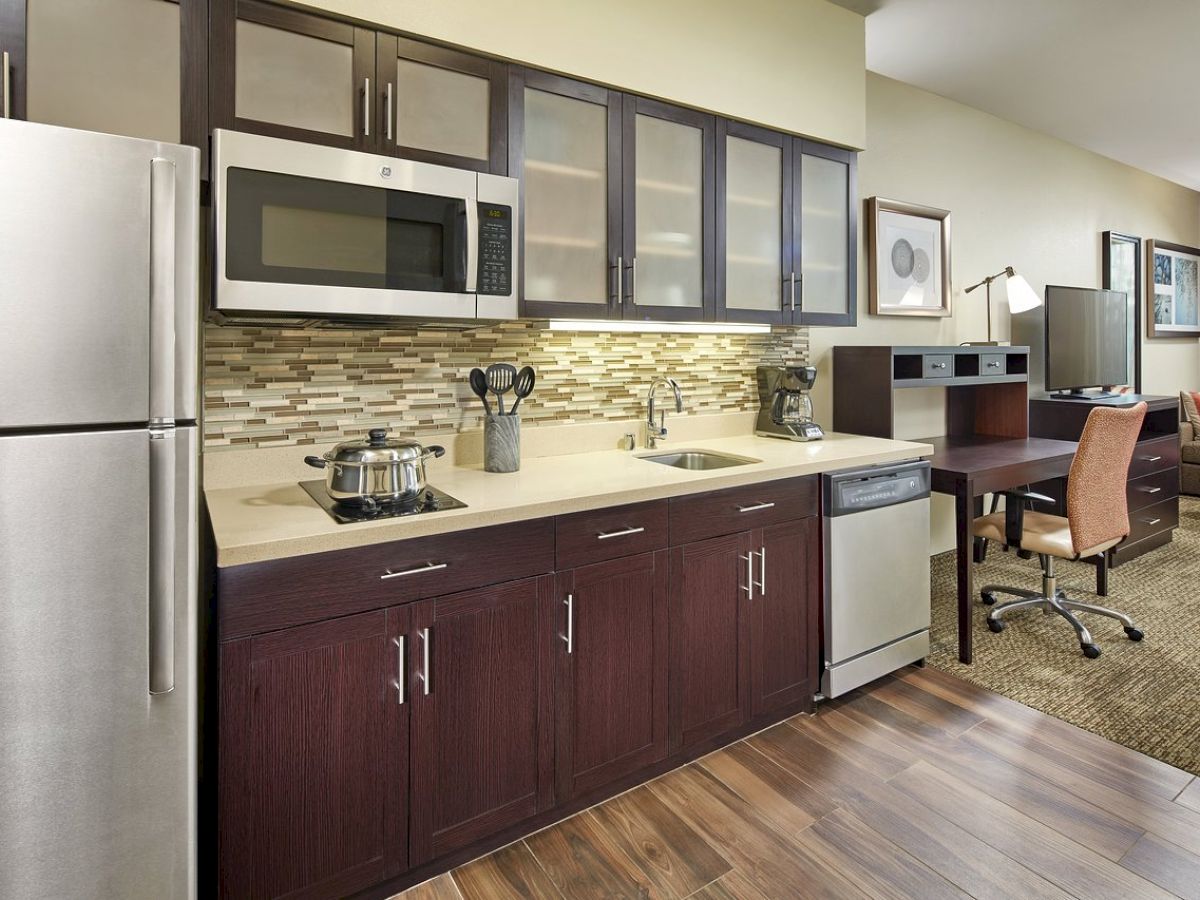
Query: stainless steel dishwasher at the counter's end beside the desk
x,y
877,573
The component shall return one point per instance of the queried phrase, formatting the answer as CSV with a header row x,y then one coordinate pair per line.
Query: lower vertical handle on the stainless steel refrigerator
x,y
163,561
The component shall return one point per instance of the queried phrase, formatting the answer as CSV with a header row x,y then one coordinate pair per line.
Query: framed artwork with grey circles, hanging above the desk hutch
x,y
909,259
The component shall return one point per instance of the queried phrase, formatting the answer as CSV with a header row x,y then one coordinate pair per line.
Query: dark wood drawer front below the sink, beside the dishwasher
x,y
740,509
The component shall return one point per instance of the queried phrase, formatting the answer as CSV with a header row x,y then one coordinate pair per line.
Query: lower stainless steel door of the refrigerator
x,y
98,775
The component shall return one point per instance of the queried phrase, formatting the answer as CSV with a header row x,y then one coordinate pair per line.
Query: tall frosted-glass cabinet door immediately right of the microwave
x,y
565,145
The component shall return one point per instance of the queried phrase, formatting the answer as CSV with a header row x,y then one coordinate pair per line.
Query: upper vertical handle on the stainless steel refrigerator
x,y
163,291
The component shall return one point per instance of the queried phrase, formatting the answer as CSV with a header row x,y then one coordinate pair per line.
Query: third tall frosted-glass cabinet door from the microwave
x,y
754,188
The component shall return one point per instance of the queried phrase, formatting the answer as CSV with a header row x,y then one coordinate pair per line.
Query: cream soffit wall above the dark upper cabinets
x,y
797,65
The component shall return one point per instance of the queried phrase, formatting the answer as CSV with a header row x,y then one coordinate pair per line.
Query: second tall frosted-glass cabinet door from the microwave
x,y
669,184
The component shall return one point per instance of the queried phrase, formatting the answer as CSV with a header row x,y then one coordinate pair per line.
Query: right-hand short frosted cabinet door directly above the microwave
x,y
441,106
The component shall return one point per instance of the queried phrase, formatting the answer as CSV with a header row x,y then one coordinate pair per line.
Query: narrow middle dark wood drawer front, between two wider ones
x,y
593,537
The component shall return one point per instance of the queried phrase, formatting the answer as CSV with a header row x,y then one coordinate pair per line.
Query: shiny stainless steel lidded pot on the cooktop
x,y
375,471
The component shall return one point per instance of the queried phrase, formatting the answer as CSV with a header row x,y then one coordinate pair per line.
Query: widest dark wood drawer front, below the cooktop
x,y
265,597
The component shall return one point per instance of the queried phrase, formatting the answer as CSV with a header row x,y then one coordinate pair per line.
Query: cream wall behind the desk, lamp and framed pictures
x,y
1017,199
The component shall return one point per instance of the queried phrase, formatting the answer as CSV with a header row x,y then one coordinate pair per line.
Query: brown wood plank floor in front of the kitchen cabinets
x,y
920,787
